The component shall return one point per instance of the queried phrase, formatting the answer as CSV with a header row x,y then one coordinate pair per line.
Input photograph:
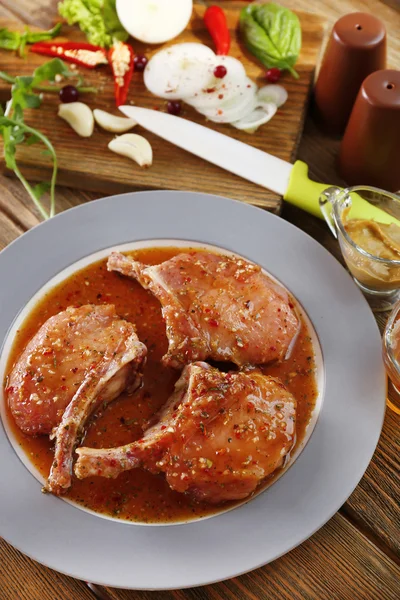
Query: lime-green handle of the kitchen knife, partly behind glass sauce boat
x,y
305,193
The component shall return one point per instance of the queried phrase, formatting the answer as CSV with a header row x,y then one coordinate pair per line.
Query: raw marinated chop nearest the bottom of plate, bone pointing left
x,y
218,436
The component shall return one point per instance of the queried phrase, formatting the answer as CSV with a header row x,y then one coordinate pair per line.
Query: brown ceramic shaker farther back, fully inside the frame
x,y
356,48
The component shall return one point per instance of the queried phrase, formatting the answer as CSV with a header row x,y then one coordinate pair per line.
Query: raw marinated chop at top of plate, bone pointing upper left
x,y
218,307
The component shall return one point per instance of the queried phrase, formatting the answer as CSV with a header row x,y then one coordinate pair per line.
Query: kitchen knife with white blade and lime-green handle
x,y
275,174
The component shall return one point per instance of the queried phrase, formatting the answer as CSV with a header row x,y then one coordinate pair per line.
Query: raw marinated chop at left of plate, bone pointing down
x,y
79,360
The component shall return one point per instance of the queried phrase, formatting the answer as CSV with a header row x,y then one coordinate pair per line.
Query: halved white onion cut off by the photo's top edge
x,y
154,21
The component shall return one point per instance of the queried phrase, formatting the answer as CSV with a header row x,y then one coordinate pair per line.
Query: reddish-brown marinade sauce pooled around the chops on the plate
x,y
137,495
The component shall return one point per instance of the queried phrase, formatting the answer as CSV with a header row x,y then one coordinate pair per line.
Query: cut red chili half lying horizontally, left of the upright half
x,y
79,53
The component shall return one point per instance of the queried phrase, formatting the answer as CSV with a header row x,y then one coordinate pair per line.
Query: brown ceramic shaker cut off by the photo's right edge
x,y
370,149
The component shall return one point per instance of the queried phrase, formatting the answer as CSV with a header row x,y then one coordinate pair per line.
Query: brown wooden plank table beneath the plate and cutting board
x,y
356,555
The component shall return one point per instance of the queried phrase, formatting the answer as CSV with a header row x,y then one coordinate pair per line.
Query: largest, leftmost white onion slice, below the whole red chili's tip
x,y
178,72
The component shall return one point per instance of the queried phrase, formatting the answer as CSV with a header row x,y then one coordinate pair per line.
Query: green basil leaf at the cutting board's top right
x,y
273,34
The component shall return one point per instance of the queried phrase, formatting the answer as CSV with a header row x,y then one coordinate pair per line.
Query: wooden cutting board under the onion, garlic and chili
x,y
88,164
